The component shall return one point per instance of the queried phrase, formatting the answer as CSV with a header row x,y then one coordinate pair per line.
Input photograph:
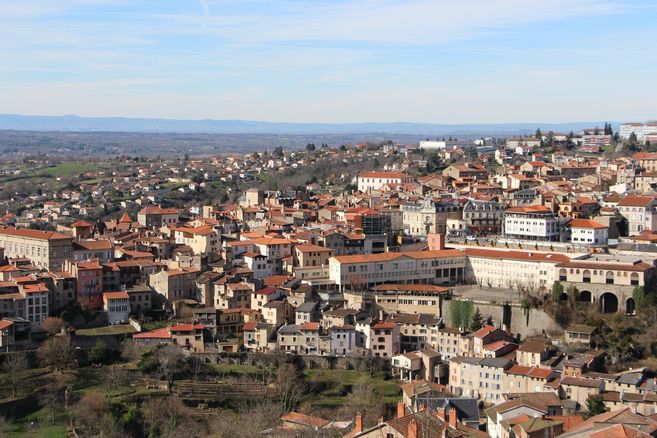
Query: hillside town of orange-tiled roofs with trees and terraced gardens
x,y
482,287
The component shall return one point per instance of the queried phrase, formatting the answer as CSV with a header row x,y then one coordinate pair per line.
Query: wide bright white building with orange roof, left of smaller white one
x,y
534,222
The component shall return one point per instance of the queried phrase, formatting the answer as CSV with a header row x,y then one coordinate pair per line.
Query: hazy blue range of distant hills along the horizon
x,y
126,124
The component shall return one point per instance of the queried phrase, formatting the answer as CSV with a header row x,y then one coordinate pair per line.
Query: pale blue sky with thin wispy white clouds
x,y
435,61
